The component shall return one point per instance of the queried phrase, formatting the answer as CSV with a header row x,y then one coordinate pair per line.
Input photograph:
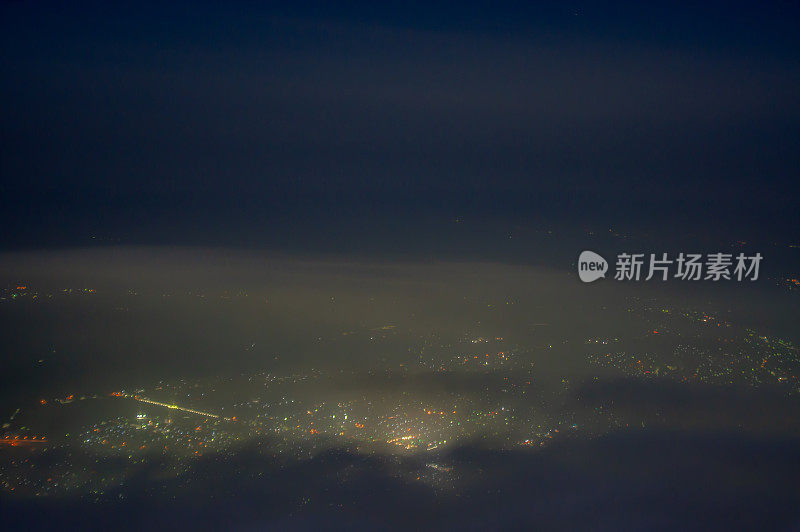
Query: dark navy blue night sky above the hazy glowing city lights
x,y
197,124
